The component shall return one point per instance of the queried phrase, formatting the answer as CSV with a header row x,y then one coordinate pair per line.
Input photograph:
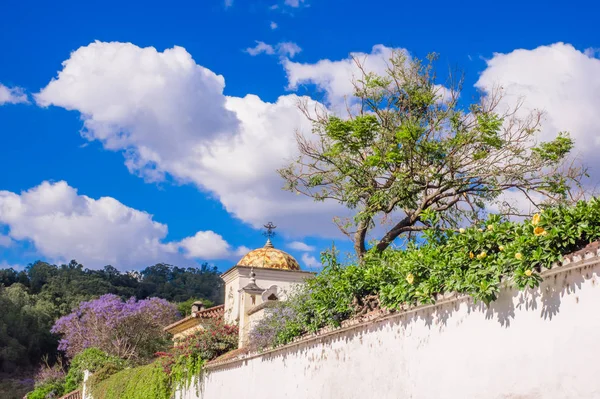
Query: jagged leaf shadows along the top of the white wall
x,y
546,298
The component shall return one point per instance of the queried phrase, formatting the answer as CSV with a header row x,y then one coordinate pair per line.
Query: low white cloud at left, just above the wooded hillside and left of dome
x,y
64,225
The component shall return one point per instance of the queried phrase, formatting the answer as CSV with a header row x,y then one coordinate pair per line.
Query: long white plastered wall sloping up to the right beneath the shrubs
x,y
543,343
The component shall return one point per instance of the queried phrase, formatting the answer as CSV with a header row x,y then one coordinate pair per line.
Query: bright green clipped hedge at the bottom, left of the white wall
x,y
134,383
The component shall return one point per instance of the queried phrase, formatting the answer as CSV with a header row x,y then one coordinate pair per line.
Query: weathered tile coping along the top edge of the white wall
x,y
585,257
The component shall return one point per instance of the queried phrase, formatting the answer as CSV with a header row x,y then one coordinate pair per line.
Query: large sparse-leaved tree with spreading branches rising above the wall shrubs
x,y
408,147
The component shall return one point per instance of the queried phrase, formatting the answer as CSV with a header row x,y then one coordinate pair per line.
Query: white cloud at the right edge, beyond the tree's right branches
x,y
560,80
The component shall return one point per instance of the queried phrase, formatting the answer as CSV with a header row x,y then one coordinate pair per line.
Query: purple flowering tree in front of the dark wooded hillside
x,y
129,329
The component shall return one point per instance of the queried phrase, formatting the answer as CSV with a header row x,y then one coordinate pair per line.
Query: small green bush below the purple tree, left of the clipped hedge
x,y
91,359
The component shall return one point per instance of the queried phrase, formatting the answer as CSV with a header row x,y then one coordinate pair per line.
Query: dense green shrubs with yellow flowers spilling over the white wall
x,y
474,261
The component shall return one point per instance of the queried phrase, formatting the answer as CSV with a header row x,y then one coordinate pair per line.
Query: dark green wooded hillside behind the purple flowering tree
x,y
32,299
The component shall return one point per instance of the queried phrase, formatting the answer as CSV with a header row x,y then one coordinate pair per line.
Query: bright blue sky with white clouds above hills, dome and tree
x,y
192,179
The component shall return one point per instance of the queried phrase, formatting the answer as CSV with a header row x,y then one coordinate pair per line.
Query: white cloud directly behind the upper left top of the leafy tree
x,y
335,77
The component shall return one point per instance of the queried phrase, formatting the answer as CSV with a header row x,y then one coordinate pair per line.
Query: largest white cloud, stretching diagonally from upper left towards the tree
x,y
169,116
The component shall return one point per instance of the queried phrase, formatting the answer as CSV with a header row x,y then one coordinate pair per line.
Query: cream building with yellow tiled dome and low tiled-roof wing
x,y
262,277
